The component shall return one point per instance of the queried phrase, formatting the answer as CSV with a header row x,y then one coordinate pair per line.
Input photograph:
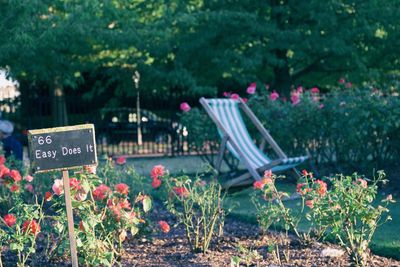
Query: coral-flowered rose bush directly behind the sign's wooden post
x,y
105,215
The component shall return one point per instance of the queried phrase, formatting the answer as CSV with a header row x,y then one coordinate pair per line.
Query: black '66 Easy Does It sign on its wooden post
x,y
63,148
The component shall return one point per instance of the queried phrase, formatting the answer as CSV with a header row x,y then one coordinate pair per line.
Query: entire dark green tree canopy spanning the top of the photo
x,y
194,48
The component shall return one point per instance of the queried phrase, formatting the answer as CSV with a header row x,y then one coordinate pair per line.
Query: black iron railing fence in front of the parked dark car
x,y
116,129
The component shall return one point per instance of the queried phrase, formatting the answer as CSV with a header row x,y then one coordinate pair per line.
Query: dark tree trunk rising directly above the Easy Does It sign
x,y
59,106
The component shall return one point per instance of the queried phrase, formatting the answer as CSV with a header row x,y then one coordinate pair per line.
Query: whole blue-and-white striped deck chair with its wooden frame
x,y
236,138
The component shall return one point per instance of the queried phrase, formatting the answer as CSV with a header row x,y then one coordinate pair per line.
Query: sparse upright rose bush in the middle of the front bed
x,y
197,205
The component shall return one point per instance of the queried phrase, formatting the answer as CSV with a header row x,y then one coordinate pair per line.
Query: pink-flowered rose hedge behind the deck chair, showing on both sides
x,y
346,128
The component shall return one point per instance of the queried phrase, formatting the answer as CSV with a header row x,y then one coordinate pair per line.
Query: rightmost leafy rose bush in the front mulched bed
x,y
346,211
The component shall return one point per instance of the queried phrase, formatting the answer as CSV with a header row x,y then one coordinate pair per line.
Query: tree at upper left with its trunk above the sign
x,y
55,42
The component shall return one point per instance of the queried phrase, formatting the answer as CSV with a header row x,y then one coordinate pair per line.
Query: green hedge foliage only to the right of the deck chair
x,y
347,127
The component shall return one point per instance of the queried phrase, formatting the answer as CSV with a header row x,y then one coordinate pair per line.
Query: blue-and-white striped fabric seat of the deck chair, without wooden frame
x,y
228,114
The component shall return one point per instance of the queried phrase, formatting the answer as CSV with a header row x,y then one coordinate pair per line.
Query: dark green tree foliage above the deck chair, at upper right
x,y
218,43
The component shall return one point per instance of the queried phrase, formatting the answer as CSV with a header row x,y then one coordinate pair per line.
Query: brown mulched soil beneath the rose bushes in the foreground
x,y
172,249
